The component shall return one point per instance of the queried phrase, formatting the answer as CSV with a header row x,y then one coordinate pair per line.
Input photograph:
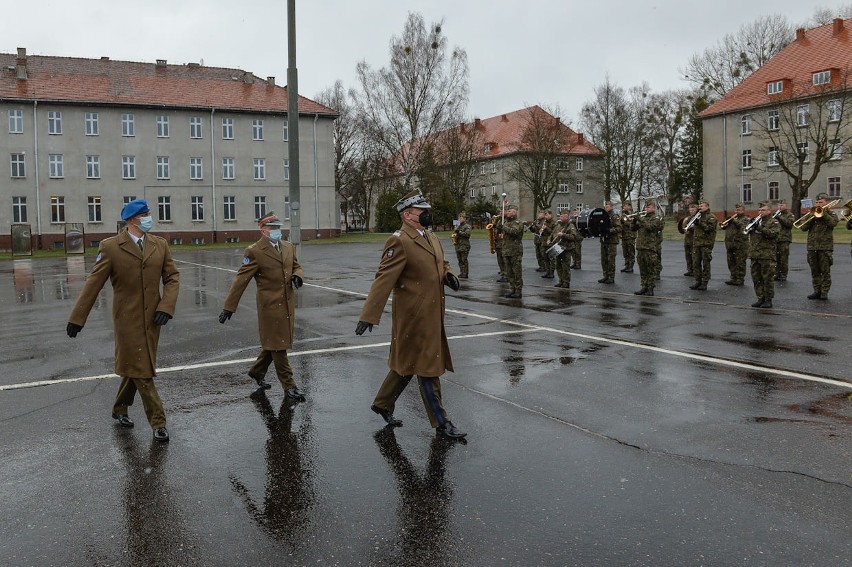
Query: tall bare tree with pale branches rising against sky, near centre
x,y
422,92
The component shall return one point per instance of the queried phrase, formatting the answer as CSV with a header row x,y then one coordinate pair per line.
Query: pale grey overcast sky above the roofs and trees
x,y
549,52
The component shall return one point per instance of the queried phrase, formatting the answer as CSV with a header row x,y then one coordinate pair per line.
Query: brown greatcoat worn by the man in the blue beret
x,y
136,297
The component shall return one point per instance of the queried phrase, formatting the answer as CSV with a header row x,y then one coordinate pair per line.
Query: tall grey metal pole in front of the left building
x,y
293,128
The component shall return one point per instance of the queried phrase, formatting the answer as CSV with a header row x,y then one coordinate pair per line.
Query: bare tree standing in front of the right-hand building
x,y
809,128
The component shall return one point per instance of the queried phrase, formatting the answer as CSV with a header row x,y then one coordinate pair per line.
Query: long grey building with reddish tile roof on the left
x,y
206,147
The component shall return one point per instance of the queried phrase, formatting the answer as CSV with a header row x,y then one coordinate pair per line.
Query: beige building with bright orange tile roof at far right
x,y
792,113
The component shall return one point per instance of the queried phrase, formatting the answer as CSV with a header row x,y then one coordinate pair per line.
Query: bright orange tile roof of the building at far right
x,y
817,49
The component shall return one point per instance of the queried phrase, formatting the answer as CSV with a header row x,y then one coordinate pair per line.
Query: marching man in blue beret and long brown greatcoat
x,y
135,262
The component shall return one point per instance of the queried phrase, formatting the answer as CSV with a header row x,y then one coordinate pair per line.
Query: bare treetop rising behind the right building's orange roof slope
x,y
725,65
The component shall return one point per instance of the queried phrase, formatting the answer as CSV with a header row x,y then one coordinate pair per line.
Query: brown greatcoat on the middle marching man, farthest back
x,y
276,298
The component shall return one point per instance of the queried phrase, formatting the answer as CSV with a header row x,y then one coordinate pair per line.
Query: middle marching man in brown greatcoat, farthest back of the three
x,y
272,263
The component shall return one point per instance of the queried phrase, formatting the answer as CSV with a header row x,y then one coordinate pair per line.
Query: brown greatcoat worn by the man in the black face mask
x,y
415,272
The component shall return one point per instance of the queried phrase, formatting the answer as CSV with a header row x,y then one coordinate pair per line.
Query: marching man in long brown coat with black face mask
x,y
413,267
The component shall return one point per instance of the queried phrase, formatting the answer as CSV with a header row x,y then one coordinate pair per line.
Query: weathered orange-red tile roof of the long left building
x,y
107,82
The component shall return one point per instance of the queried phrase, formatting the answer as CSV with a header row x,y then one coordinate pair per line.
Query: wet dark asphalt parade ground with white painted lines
x,y
603,428
